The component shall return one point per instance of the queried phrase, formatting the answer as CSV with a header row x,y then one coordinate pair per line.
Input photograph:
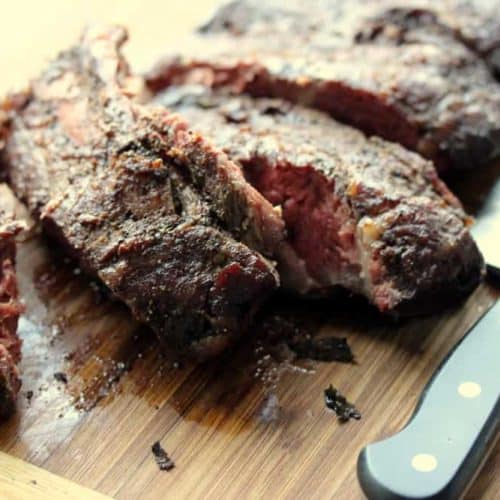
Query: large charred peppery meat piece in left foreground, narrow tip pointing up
x,y
163,218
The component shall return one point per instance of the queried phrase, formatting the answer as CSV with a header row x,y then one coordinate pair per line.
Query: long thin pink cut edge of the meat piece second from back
x,y
367,110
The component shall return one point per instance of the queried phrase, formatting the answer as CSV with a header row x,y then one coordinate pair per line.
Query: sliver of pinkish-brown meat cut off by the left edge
x,y
10,308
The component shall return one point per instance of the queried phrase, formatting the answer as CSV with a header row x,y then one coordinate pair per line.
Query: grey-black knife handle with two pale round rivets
x,y
456,420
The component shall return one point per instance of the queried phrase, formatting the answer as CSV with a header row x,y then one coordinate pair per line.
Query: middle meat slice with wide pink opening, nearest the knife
x,y
361,213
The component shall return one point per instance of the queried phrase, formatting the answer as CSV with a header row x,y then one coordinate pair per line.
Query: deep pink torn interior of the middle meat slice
x,y
320,225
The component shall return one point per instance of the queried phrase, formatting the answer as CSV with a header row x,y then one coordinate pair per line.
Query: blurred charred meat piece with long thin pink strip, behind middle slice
x,y
425,90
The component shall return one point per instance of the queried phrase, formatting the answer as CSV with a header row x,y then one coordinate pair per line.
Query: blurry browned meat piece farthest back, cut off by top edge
x,y
476,23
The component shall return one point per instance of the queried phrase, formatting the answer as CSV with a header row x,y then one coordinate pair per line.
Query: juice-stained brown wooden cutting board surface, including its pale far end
x,y
214,419
